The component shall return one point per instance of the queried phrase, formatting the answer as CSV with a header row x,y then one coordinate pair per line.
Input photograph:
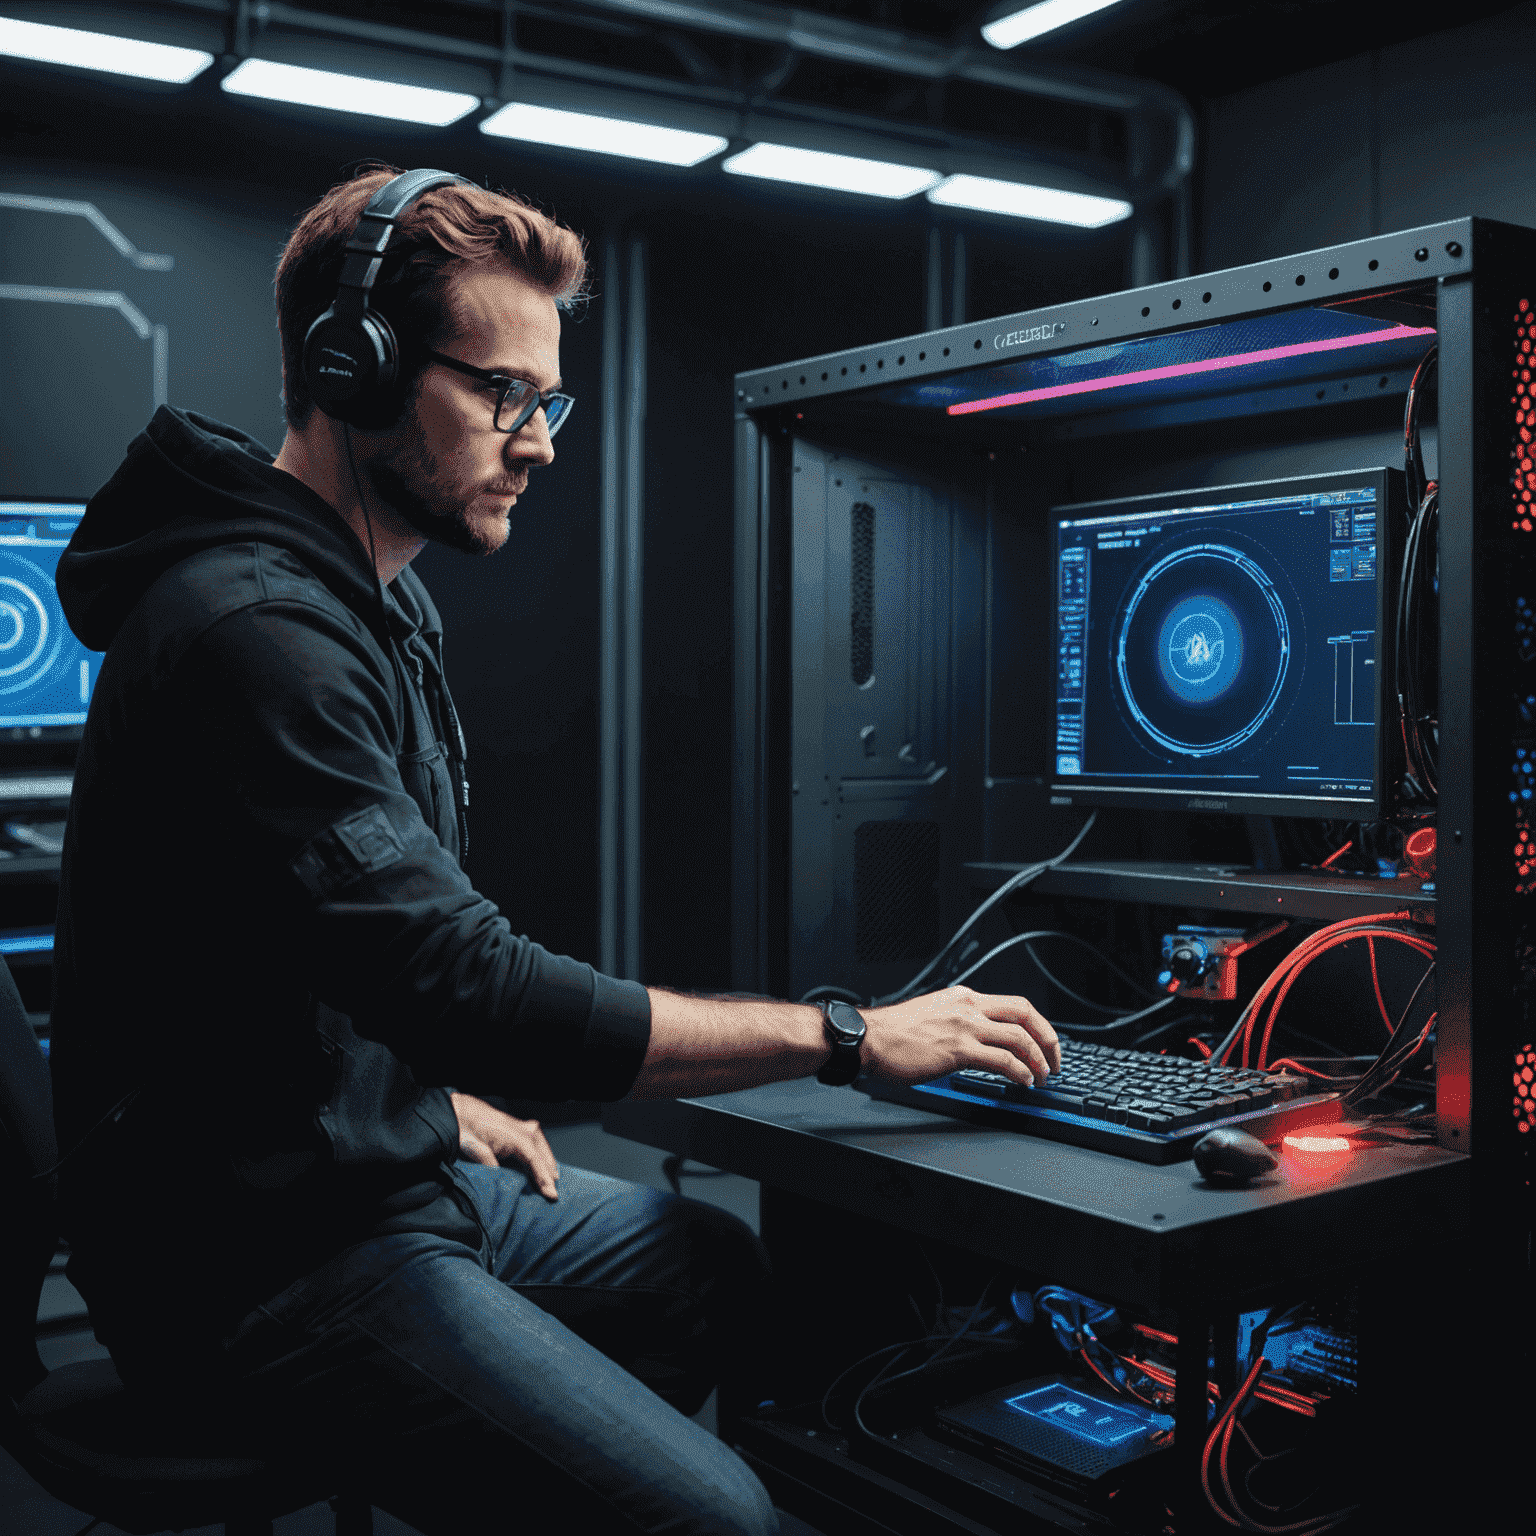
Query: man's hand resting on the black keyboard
x,y
958,1028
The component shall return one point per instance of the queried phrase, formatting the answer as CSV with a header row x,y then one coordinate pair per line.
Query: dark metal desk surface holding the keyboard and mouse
x,y
1157,1237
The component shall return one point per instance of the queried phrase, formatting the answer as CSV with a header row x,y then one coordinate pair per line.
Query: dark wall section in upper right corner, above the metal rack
x,y
1414,133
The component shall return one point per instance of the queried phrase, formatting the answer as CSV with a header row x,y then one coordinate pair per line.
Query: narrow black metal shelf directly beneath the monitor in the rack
x,y
1233,889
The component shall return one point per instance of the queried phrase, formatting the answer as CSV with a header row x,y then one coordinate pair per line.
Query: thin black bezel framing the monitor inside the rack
x,y
1391,497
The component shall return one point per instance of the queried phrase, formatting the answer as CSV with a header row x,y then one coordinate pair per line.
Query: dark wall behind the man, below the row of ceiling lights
x,y
740,276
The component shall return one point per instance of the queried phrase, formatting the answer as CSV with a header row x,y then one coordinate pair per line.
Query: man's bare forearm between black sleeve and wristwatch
x,y
713,1045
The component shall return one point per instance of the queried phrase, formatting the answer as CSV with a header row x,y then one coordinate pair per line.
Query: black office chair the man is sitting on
x,y
78,1431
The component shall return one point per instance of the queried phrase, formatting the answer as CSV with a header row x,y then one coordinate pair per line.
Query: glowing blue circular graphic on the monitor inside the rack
x,y
1203,650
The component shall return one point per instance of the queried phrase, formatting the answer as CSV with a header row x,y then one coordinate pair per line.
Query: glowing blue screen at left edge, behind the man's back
x,y
45,674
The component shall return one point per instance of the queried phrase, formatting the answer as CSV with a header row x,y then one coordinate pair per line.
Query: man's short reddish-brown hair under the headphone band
x,y
443,231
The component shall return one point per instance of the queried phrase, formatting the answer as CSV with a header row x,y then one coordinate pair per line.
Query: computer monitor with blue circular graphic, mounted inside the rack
x,y
1226,649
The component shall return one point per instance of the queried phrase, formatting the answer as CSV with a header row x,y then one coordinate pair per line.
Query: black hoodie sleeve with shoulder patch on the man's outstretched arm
x,y
385,924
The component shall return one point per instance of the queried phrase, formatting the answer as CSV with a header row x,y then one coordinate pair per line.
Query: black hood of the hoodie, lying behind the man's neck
x,y
190,485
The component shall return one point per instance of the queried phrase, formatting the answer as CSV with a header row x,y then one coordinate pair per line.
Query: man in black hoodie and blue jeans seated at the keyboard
x,y
277,985
